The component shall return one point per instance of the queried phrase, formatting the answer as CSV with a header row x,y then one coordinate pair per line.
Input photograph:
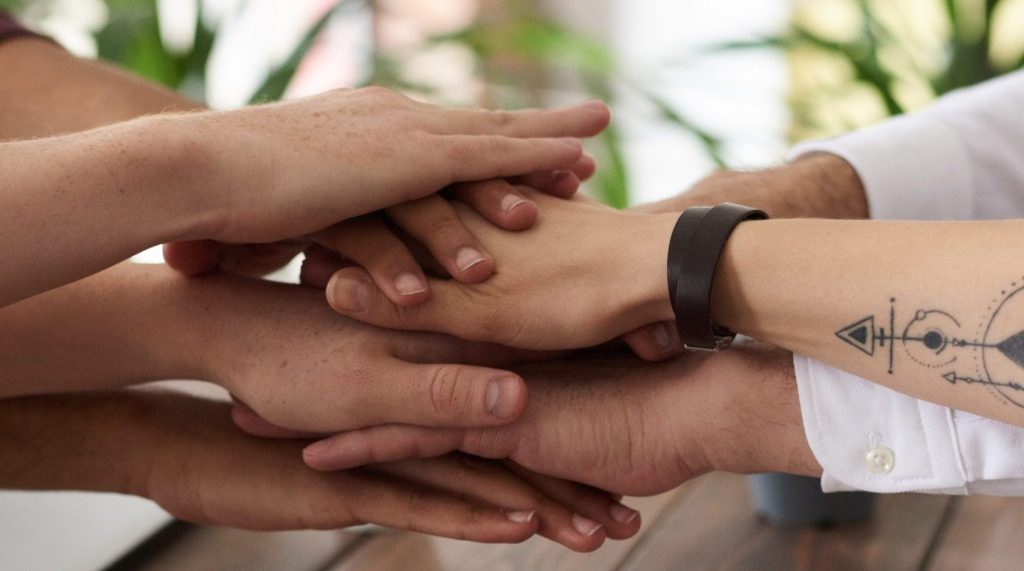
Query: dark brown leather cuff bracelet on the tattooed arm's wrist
x,y
697,245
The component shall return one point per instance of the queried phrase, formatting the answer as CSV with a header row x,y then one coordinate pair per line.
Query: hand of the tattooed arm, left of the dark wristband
x,y
582,276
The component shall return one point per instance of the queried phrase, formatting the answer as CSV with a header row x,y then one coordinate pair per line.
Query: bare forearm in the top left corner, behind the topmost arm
x,y
48,92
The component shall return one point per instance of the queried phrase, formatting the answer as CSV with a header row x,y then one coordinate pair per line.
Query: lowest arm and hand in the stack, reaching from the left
x,y
184,454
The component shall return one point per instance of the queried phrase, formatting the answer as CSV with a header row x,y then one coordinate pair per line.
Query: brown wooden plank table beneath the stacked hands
x,y
706,524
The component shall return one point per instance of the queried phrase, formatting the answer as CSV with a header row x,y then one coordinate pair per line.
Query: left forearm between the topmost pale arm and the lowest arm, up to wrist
x,y
129,325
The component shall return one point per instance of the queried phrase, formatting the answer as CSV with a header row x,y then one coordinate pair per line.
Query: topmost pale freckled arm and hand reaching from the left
x,y
257,175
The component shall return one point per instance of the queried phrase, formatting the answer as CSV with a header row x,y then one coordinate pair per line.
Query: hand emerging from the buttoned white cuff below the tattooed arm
x,y
625,426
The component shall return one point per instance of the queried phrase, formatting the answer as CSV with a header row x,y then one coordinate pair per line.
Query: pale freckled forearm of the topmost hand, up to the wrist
x,y
77,204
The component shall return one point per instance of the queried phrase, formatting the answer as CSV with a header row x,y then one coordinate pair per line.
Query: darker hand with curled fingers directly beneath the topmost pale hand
x,y
372,243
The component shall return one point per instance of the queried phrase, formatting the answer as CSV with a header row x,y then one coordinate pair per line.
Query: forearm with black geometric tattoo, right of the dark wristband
x,y
926,309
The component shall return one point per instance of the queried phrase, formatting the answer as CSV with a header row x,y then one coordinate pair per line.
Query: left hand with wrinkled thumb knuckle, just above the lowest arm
x,y
285,354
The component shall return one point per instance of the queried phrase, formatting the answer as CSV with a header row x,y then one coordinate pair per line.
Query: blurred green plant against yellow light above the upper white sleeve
x,y
886,52
